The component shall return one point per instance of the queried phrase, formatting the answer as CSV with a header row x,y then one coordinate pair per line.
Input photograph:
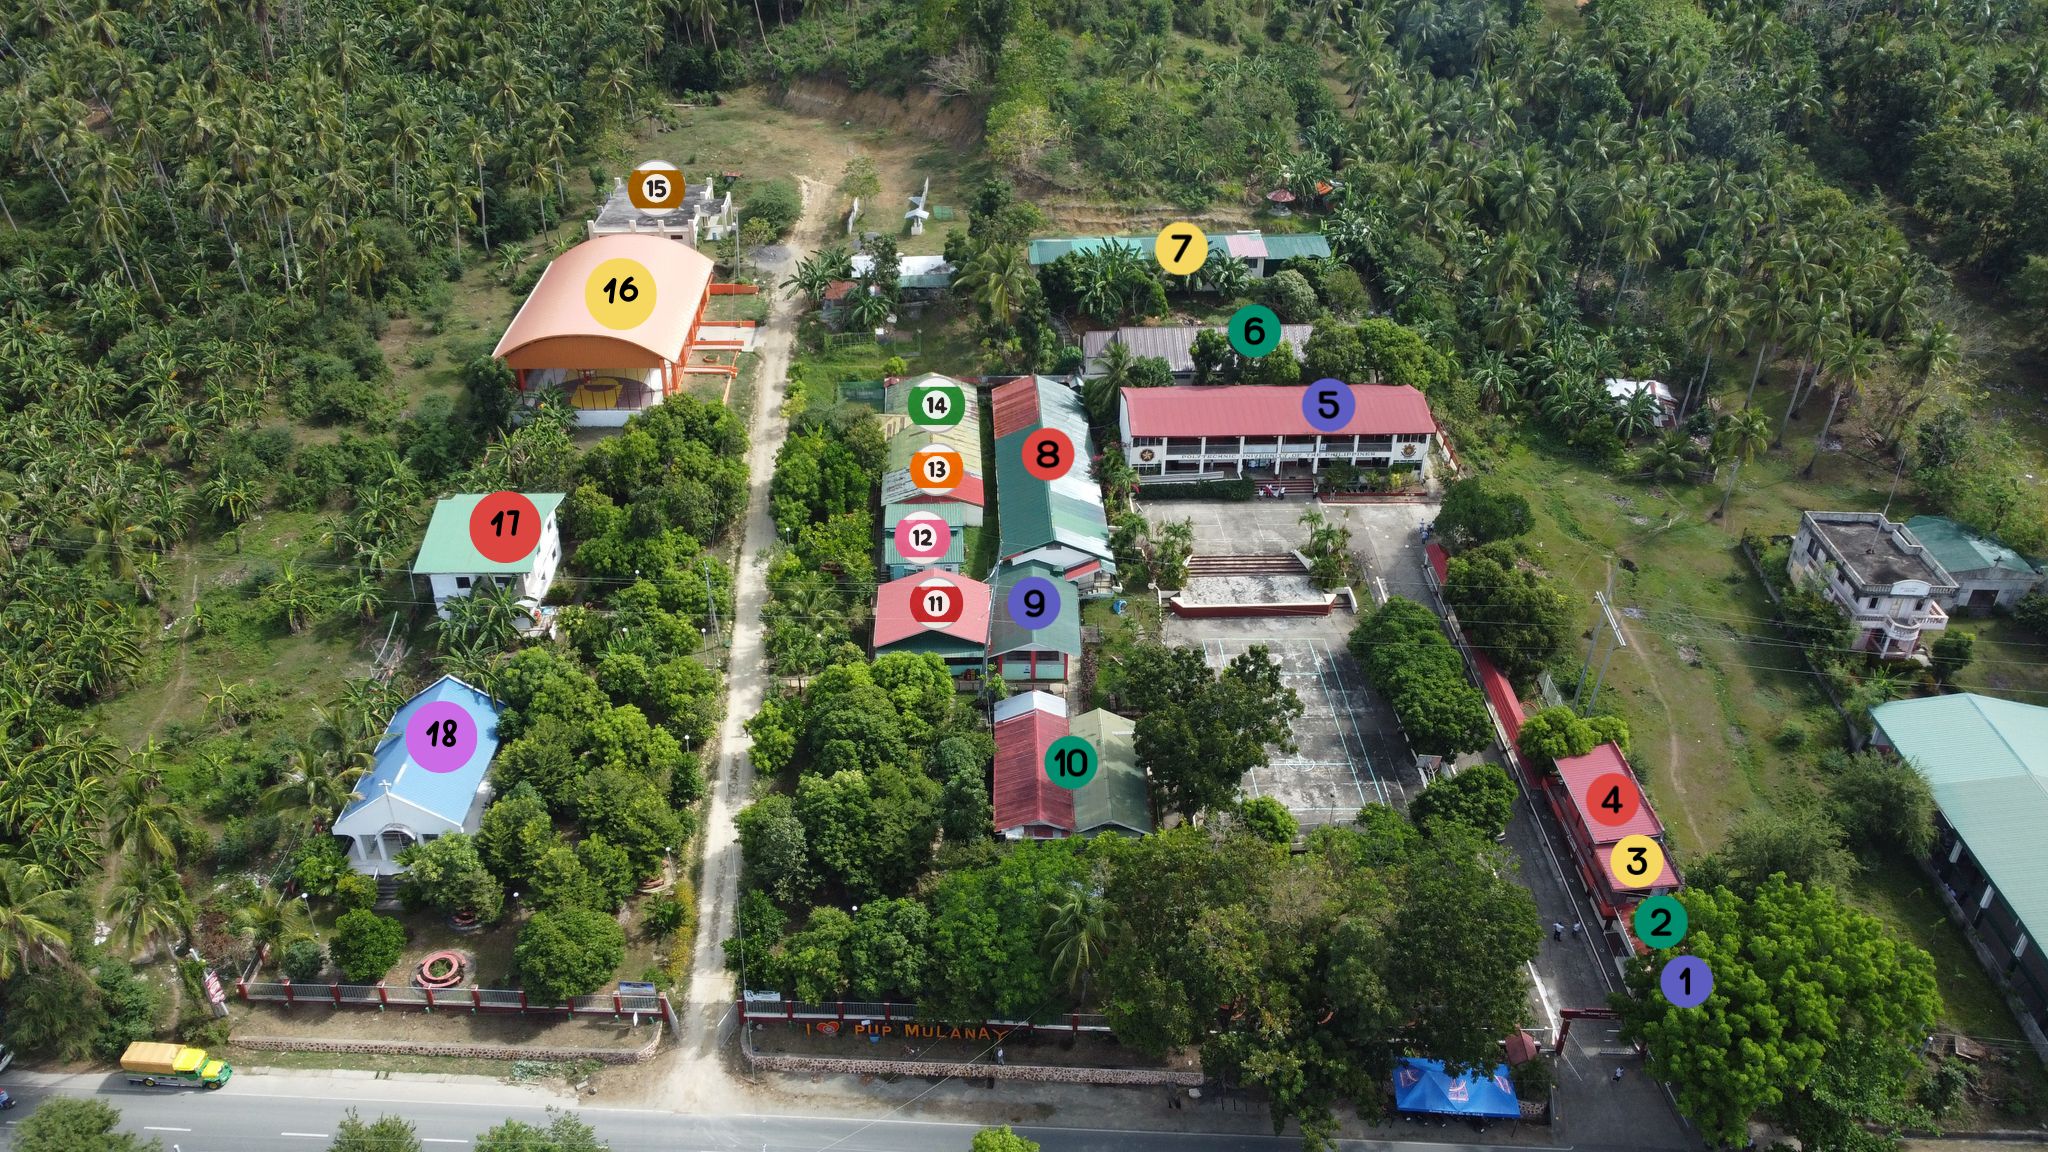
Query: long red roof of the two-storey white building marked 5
x,y
1269,411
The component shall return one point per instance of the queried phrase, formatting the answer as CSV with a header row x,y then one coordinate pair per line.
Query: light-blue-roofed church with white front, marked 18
x,y
400,803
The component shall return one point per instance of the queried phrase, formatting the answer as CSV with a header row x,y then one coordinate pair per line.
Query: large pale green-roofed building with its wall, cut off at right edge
x,y
1988,766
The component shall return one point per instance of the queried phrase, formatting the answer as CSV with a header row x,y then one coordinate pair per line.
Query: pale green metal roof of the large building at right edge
x,y
1988,766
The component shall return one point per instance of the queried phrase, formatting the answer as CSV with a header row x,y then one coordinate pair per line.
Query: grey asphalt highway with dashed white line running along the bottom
x,y
208,1122
